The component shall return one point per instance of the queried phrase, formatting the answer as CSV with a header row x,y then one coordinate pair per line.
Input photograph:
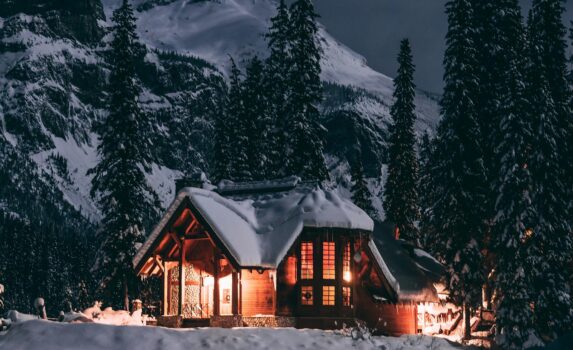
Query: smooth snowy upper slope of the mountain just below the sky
x,y
216,29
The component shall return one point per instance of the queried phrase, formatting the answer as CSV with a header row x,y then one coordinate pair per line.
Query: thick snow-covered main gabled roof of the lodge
x,y
258,226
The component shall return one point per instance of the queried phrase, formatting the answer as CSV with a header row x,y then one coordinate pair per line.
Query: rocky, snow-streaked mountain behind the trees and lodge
x,y
53,68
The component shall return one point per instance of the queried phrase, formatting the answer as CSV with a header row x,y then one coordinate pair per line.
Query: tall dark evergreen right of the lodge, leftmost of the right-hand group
x,y
459,173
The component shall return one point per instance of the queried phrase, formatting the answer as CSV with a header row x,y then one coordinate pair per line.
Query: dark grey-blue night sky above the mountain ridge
x,y
374,29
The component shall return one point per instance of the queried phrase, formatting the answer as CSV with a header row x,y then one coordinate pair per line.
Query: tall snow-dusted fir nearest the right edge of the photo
x,y
550,243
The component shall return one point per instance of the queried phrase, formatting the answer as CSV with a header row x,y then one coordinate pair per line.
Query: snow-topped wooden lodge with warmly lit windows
x,y
280,253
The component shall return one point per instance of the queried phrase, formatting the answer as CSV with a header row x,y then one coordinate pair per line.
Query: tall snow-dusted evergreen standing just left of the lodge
x,y
119,182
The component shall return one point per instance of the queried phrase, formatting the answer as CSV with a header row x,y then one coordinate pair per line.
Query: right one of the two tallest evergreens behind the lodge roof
x,y
305,134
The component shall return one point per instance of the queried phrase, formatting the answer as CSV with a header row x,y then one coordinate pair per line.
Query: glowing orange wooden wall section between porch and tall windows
x,y
257,293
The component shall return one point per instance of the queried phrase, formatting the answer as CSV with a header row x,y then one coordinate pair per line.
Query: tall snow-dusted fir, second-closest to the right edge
x,y
513,184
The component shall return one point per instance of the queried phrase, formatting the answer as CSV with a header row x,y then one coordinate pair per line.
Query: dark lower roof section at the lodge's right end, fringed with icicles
x,y
410,272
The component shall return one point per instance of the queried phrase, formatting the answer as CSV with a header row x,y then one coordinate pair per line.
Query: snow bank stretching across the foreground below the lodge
x,y
57,336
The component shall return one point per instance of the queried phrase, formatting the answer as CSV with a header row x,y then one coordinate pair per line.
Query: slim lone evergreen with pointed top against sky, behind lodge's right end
x,y
400,192
